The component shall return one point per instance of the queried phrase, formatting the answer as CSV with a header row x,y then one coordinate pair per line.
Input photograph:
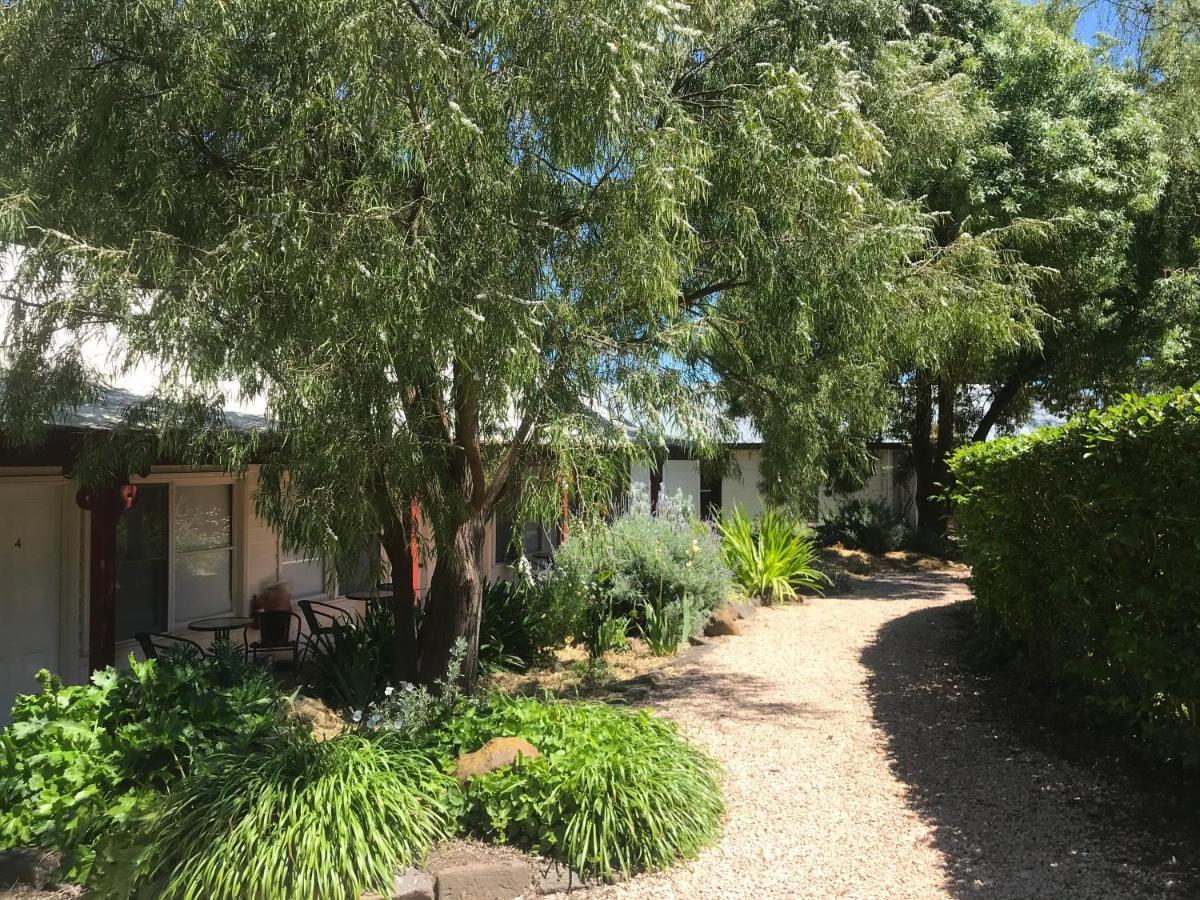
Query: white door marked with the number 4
x,y
31,566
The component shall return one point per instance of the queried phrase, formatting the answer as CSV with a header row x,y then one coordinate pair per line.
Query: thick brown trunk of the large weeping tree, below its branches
x,y
454,604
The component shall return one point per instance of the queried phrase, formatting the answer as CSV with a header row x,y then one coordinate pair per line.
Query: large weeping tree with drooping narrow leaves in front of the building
x,y
442,238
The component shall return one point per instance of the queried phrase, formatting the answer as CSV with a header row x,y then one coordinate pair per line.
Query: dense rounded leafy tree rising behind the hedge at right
x,y
1064,164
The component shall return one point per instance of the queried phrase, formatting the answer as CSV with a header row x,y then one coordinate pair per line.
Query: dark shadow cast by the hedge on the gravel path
x,y
1012,817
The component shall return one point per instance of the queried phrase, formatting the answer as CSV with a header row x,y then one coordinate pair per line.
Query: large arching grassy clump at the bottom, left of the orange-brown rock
x,y
304,819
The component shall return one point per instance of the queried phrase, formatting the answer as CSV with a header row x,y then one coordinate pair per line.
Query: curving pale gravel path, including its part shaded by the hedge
x,y
862,764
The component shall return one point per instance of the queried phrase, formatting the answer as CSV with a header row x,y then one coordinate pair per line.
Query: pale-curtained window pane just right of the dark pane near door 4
x,y
203,551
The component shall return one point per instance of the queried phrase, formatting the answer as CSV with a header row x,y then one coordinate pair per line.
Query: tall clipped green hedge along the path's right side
x,y
1085,547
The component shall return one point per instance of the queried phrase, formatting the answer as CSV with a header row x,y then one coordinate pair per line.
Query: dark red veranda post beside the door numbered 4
x,y
106,506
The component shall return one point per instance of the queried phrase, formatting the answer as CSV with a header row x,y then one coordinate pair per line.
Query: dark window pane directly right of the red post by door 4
x,y
142,565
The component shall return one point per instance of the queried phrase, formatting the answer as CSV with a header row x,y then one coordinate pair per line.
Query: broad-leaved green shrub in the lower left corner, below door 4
x,y
76,761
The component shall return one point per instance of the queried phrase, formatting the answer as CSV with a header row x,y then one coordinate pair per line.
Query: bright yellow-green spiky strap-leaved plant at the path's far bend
x,y
772,559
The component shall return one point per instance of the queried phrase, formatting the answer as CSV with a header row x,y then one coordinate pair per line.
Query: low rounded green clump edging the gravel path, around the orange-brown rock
x,y
614,790
